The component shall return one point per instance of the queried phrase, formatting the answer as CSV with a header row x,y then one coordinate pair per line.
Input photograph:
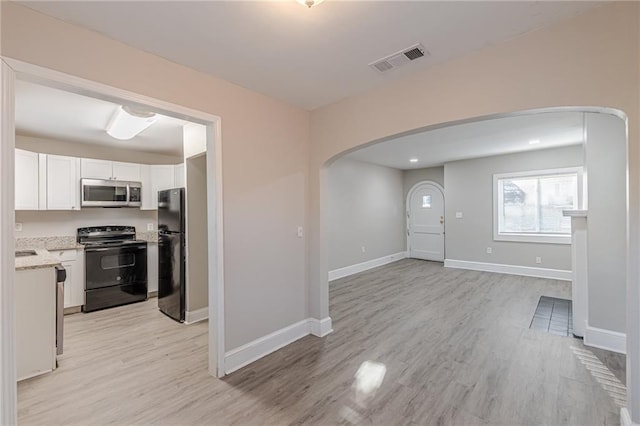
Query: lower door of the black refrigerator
x,y
171,275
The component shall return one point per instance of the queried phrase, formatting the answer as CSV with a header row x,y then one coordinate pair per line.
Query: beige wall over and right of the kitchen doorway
x,y
265,161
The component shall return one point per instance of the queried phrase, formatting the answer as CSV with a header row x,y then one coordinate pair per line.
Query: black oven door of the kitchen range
x,y
115,275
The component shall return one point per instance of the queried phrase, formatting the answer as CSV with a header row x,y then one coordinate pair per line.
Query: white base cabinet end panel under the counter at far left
x,y
35,318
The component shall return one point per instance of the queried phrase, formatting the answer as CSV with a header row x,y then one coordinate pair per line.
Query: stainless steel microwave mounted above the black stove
x,y
110,193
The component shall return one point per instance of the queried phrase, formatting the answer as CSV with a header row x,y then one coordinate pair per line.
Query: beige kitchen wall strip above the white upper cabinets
x,y
58,147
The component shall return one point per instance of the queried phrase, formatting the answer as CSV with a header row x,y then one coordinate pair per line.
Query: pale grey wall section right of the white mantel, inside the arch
x,y
606,221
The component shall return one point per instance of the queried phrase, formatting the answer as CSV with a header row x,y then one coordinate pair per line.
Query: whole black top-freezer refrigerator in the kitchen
x,y
171,253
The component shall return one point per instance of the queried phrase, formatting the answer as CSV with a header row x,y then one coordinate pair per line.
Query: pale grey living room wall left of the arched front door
x,y
366,209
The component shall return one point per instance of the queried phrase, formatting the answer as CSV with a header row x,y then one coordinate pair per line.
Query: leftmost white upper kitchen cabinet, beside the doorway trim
x,y
27,180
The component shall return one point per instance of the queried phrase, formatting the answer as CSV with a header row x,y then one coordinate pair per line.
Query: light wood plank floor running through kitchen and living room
x,y
456,347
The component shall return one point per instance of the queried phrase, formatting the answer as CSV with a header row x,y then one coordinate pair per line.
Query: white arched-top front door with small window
x,y
425,222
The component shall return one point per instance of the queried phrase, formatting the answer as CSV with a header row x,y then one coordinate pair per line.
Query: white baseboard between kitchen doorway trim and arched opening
x,y
253,351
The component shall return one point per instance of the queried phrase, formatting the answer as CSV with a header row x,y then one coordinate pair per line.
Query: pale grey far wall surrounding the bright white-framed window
x,y
468,188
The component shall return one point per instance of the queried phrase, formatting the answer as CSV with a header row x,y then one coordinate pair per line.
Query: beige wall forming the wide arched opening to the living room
x,y
589,60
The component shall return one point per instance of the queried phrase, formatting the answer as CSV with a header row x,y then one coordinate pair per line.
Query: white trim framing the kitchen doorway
x,y
12,69
